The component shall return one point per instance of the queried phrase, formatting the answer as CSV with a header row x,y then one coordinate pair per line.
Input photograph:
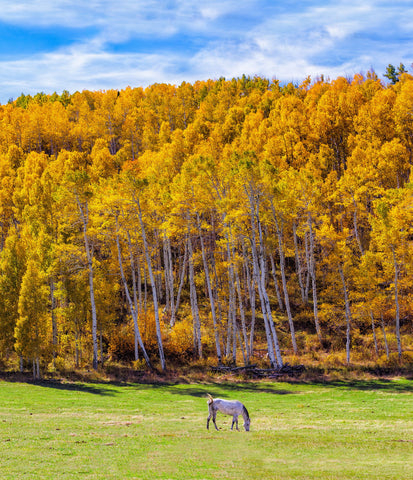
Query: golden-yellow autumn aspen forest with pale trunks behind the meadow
x,y
220,222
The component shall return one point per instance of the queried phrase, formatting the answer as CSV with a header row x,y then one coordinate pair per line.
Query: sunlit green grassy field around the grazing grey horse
x,y
337,430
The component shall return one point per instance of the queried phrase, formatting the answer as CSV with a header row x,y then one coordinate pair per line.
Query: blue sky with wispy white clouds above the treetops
x,y
56,45
